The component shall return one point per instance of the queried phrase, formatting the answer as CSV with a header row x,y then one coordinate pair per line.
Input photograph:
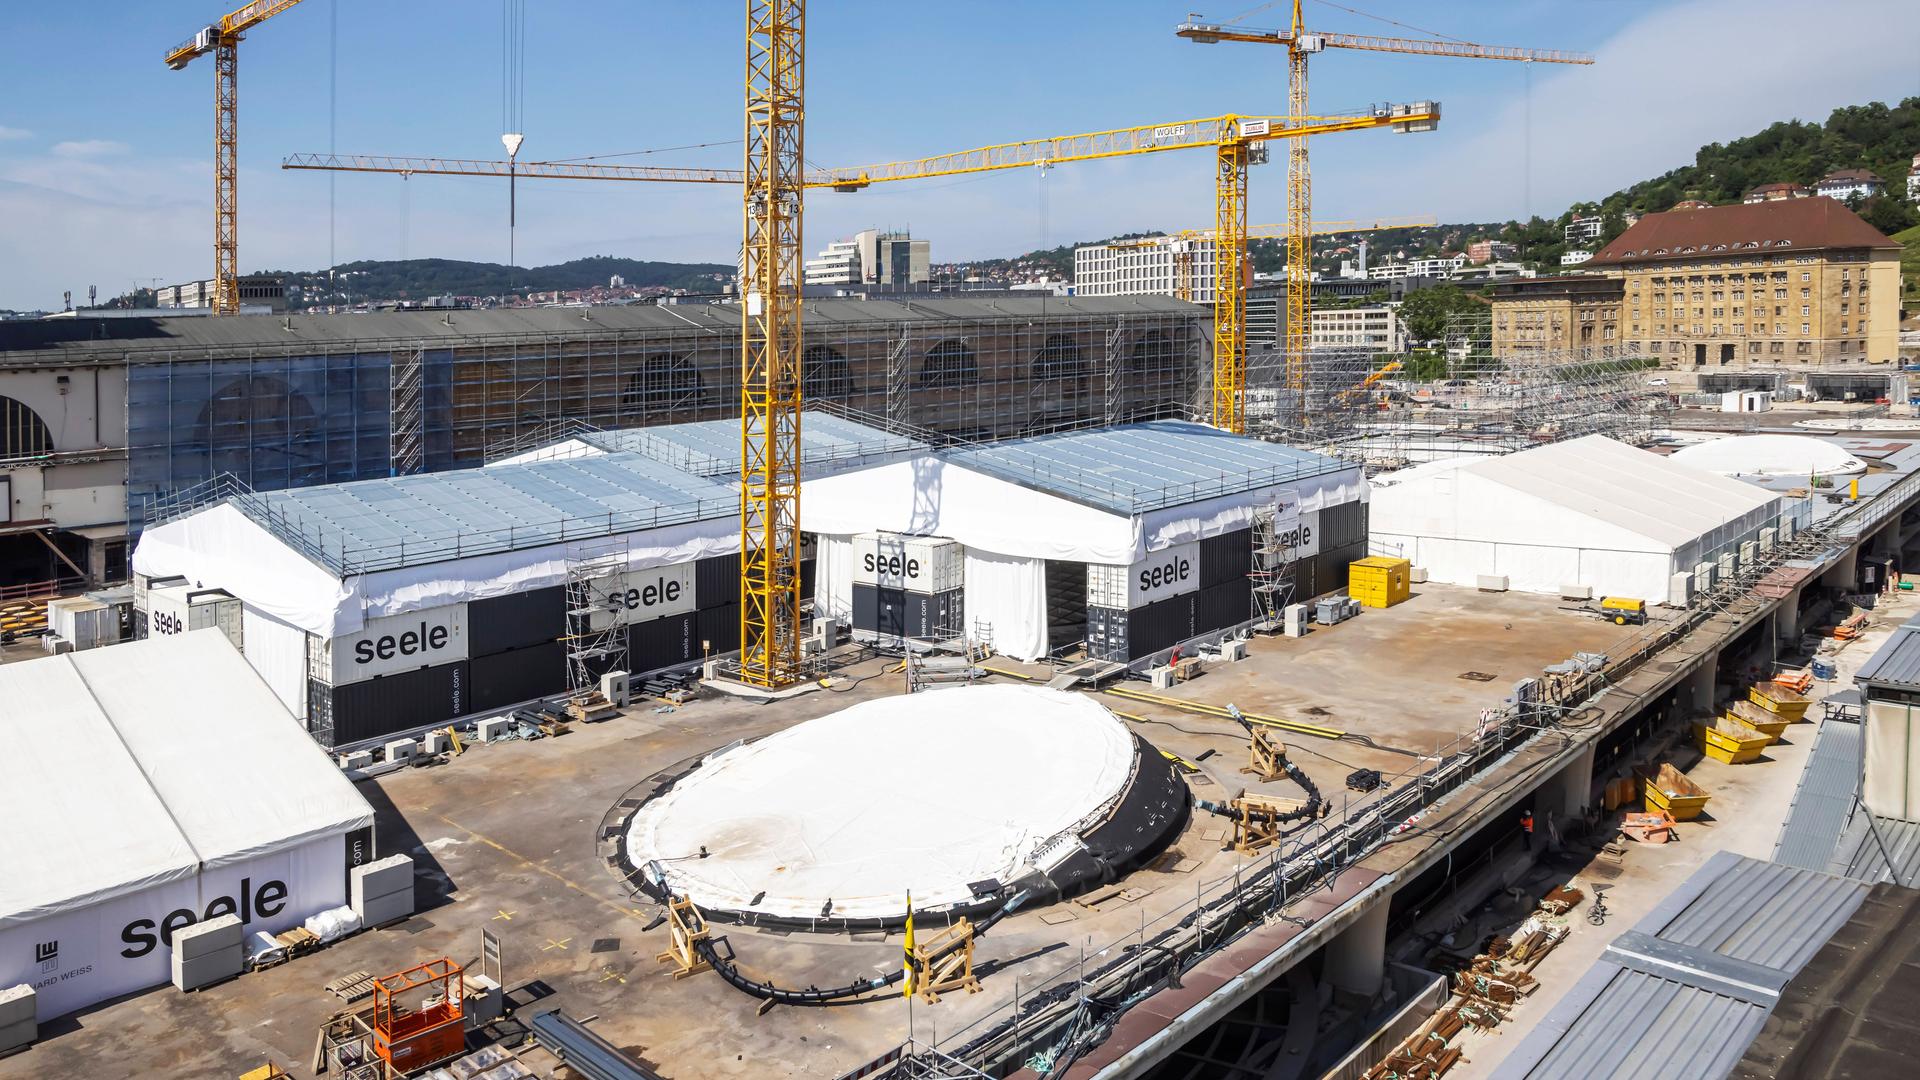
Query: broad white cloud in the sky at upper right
x,y
1664,87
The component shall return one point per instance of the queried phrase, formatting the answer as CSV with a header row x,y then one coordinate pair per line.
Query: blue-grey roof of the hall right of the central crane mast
x,y
1149,466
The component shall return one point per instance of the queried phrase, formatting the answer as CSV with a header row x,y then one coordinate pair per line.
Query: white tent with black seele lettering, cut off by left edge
x,y
149,787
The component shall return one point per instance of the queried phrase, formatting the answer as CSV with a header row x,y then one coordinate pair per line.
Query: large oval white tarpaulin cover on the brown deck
x,y
838,808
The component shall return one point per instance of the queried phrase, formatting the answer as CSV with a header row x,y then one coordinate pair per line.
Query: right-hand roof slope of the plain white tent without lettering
x,y
1625,487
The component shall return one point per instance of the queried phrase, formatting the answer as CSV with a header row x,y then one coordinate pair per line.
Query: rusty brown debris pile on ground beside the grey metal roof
x,y
1483,993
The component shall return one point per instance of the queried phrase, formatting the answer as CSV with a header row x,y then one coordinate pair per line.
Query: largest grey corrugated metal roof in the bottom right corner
x,y
1691,987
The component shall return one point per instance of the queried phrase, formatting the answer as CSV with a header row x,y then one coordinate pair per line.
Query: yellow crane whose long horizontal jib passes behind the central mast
x,y
1236,141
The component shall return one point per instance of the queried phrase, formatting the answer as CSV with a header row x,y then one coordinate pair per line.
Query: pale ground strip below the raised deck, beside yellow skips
x,y
1744,816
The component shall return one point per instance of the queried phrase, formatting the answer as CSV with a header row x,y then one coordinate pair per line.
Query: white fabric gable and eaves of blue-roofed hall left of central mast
x,y
224,549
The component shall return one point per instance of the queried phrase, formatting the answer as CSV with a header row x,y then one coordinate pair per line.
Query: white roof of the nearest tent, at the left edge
x,y
137,764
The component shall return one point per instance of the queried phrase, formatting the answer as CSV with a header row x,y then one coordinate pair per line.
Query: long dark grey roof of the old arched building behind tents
x,y
112,339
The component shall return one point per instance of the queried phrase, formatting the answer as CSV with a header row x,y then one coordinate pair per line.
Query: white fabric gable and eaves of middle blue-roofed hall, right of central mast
x,y
928,497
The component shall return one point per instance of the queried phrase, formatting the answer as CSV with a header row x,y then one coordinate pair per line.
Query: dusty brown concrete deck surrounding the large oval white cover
x,y
504,841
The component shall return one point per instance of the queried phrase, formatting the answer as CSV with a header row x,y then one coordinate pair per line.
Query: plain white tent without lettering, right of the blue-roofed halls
x,y
1585,512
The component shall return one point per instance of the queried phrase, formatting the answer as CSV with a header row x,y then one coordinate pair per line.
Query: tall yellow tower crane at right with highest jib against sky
x,y
1301,45
